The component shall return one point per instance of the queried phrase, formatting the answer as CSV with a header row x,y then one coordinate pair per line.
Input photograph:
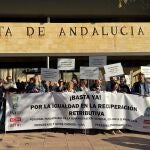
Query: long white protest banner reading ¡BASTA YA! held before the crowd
x,y
104,110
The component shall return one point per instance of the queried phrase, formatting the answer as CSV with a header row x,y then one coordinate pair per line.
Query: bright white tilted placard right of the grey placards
x,y
114,70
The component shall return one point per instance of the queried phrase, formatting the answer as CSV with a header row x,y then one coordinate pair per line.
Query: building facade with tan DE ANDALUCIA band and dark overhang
x,y
31,31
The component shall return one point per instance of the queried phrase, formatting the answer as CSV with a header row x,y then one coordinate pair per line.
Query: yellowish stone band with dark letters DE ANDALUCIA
x,y
80,38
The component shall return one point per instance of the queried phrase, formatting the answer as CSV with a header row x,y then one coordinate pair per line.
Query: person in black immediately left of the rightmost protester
x,y
123,87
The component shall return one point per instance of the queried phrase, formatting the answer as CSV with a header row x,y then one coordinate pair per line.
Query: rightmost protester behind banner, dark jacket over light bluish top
x,y
140,87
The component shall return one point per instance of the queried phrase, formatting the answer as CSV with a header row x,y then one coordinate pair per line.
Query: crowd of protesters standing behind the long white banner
x,y
35,85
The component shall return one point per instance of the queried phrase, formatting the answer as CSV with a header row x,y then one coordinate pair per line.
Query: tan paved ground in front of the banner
x,y
59,141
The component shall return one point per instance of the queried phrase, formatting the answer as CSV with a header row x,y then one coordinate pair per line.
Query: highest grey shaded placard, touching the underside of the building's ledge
x,y
97,61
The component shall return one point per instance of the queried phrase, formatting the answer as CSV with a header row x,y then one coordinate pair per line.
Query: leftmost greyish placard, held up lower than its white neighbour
x,y
49,74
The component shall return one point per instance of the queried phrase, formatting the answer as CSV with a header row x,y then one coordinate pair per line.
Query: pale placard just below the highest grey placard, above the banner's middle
x,y
90,73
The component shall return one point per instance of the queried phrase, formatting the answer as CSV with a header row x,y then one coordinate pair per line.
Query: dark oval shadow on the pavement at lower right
x,y
130,142
